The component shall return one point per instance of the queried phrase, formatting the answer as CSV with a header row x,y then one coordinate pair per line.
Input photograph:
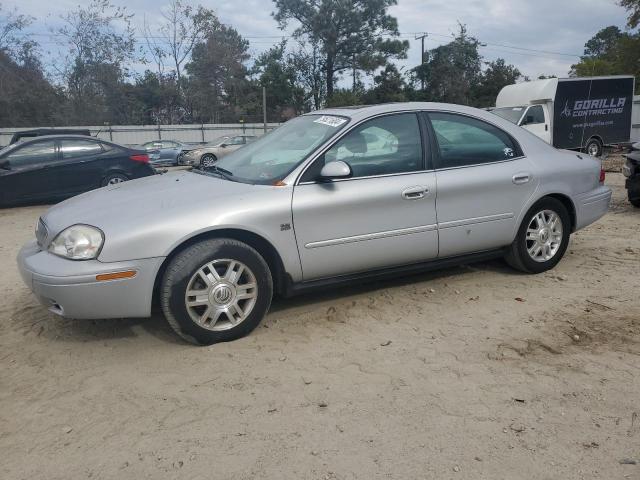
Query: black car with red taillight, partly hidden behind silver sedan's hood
x,y
59,166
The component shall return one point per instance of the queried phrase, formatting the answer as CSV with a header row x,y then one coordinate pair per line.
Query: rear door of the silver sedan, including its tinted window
x,y
484,182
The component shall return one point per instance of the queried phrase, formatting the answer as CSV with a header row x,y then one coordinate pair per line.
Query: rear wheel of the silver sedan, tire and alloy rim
x,y
542,239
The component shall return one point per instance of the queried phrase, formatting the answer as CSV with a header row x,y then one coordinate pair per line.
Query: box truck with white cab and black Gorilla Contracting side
x,y
585,113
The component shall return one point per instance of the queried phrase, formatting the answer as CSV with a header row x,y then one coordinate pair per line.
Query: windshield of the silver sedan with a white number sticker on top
x,y
273,156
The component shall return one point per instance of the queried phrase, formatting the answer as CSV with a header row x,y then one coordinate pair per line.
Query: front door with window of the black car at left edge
x,y
28,176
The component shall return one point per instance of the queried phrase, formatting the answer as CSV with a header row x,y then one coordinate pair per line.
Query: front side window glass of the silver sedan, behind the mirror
x,y
382,146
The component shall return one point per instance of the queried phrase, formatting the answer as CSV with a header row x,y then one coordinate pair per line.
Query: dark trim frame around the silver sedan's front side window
x,y
427,159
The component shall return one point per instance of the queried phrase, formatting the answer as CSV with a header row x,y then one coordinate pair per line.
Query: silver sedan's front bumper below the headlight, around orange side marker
x,y
70,289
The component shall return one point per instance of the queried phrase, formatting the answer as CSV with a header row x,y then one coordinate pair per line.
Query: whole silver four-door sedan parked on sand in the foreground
x,y
330,197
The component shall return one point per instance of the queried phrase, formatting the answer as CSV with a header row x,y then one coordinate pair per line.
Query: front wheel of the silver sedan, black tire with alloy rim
x,y
216,291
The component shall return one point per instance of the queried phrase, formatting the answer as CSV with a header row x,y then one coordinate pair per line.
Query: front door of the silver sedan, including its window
x,y
383,216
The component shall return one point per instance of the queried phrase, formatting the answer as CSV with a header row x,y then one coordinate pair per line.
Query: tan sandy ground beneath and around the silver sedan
x,y
469,373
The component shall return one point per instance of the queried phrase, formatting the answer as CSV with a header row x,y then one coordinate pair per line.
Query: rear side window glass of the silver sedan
x,y
466,141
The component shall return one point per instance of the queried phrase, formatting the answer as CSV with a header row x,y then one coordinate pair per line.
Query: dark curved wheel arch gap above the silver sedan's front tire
x,y
263,246
